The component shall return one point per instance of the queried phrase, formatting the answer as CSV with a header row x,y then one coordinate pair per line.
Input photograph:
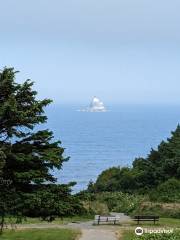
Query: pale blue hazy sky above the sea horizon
x,y
124,51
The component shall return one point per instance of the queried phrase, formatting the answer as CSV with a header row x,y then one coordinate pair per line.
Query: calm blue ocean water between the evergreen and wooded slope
x,y
97,141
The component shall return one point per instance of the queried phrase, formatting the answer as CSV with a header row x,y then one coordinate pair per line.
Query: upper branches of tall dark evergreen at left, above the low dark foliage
x,y
26,155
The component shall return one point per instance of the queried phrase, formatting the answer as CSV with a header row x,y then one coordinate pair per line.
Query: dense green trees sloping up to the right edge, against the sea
x,y
149,173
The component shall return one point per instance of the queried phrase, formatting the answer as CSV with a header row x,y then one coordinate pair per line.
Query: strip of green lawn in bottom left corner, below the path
x,y
43,234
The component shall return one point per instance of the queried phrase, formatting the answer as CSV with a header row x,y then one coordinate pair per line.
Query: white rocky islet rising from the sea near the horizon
x,y
96,105
